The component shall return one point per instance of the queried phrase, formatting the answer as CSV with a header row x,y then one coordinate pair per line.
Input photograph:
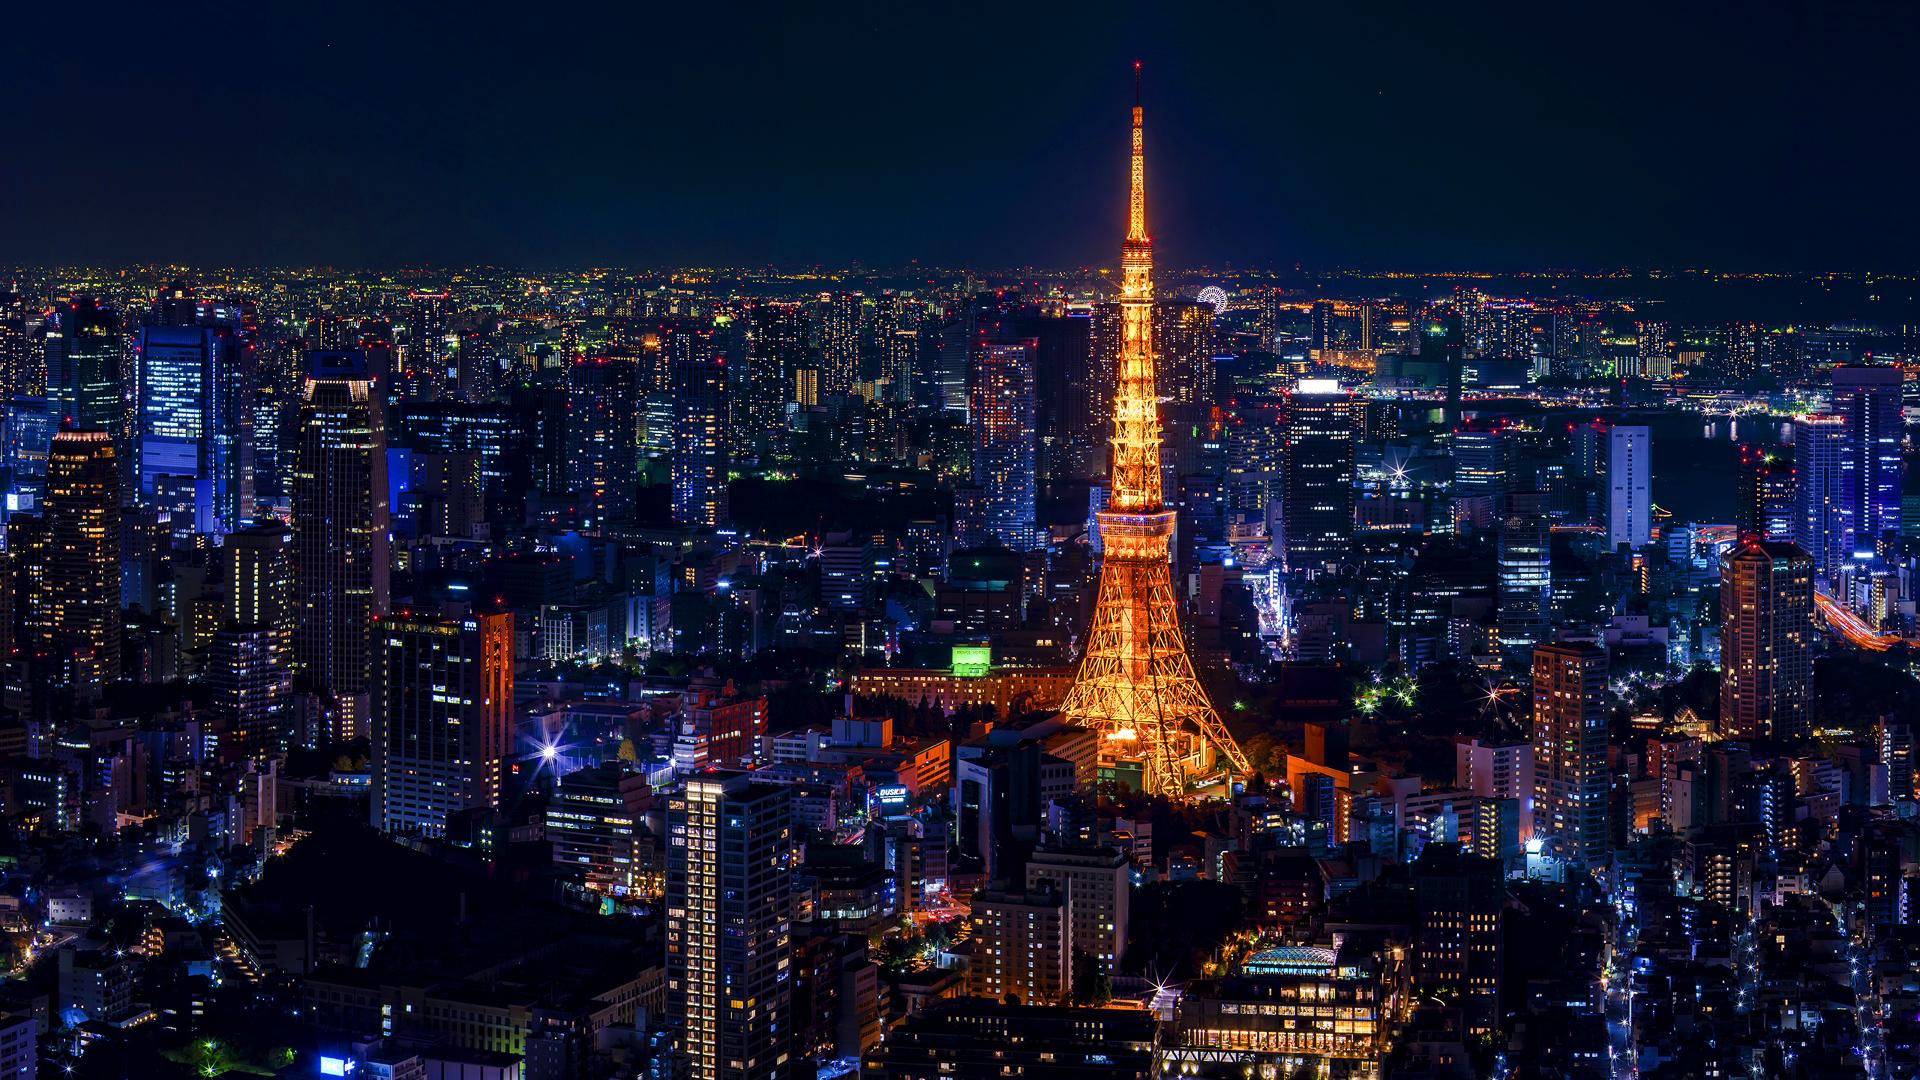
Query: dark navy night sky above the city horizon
x,y
1433,137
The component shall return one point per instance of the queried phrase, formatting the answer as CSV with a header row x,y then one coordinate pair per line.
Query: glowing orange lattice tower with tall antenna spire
x,y
1136,685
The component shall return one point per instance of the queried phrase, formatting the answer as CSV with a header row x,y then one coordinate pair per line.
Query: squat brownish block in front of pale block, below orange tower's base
x,y
1024,946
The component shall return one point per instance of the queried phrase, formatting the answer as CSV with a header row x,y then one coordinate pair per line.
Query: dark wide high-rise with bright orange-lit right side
x,y
443,718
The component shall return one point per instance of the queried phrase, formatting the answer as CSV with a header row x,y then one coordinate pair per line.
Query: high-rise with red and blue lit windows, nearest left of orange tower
x,y
1005,443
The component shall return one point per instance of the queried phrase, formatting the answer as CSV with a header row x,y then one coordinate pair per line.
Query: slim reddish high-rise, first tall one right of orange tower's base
x,y
1572,752
